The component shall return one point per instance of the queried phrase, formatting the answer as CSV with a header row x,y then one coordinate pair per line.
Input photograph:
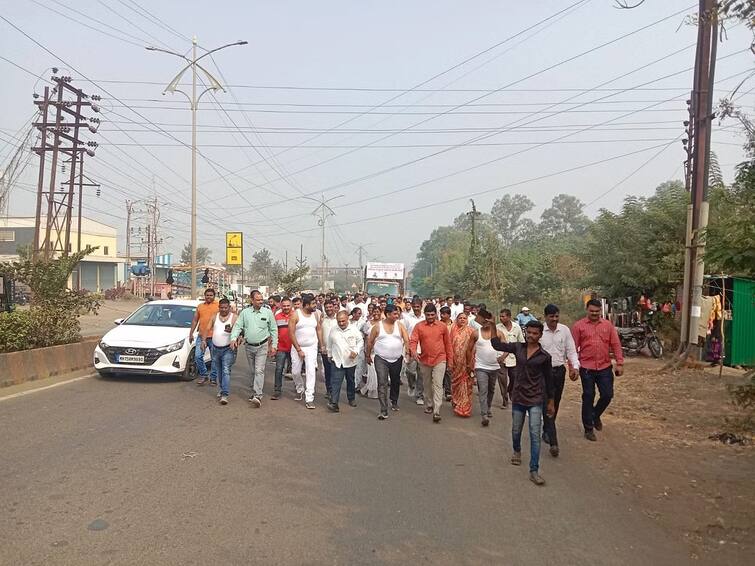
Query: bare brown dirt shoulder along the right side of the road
x,y
657,447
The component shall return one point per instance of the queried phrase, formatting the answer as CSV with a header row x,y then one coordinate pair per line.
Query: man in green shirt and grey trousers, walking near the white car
x,y
261,339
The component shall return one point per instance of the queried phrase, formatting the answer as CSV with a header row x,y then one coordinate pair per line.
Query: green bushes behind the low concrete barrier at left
x,y
53,317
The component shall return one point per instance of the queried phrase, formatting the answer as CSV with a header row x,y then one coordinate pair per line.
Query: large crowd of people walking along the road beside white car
x,y
440,348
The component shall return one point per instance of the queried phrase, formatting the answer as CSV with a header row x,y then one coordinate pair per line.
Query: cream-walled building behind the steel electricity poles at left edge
x,y
100,270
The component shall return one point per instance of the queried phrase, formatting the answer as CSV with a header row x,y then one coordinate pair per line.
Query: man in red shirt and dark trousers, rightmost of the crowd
x,y
595,338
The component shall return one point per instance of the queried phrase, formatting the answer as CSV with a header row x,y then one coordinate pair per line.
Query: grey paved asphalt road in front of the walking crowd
x,y
137,471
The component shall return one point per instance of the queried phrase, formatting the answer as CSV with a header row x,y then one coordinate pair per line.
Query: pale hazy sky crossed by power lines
x,y
394,112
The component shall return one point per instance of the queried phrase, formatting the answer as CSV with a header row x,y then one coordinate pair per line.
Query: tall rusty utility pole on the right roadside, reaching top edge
x,y
701,104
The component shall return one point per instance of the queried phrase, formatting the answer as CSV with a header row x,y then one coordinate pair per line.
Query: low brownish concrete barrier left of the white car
x,y
28,365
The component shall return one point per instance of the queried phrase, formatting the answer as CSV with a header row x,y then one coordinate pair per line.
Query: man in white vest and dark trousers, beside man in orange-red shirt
x,y
390,343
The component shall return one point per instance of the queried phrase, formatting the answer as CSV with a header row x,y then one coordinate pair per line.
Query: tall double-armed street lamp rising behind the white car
x,y
172,87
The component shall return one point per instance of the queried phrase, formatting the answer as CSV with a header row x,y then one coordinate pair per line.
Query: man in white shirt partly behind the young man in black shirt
x,y
557,340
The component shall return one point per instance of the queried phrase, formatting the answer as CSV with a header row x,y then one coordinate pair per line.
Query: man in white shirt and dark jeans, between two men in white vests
x,y
343,344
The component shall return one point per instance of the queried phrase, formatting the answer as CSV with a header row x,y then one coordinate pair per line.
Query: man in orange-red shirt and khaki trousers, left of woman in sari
x,y
434,341
